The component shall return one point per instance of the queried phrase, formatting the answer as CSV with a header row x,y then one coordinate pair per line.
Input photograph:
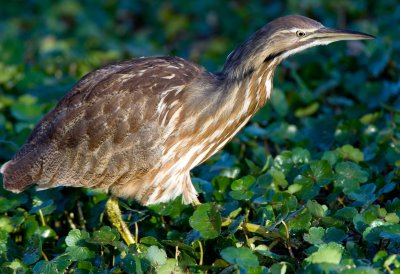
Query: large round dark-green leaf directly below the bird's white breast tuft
x,y
207,220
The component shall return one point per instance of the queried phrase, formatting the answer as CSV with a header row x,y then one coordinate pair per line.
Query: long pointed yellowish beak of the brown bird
x,y
333,35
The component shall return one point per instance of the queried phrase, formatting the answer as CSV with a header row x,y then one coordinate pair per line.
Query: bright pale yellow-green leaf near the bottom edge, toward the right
x,y
330,253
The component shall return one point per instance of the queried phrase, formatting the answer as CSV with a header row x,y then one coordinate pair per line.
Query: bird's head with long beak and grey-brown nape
x,y
281,38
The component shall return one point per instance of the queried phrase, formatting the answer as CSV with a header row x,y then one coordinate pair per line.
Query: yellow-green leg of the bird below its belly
x,y
114,214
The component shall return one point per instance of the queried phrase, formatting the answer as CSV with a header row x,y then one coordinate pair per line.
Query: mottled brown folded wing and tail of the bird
x,y
104,130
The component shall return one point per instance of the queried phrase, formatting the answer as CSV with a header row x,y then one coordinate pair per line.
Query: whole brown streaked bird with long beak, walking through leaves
x,y
137,128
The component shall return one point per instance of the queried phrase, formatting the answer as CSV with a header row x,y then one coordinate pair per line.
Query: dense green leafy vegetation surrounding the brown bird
x,y
311,185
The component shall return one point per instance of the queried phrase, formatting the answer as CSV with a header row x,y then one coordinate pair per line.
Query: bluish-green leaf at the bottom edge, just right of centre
x,y
241,256
